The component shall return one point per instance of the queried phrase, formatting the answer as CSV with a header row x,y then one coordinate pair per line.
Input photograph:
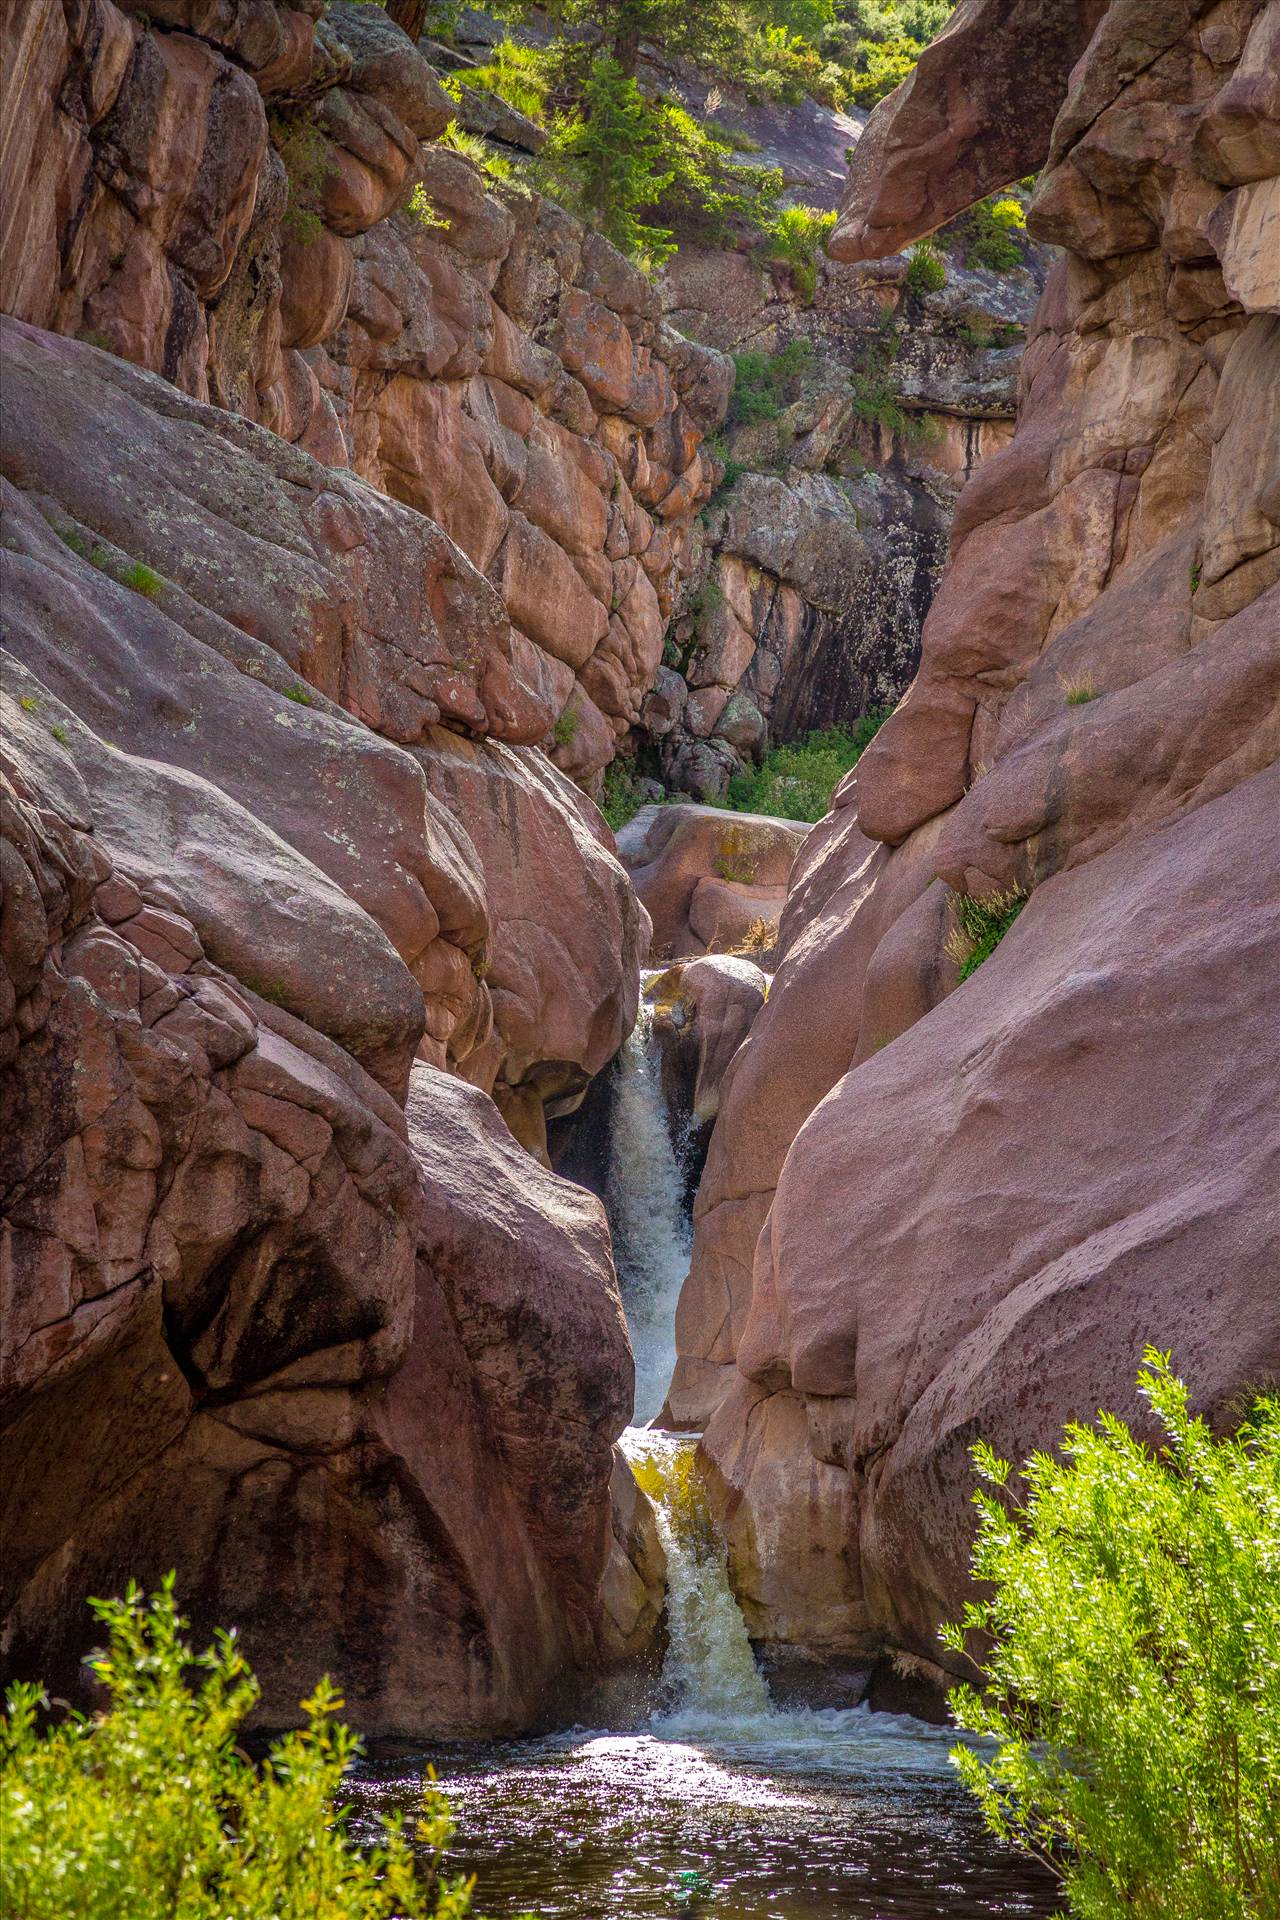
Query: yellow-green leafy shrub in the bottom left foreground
x,y
153,1812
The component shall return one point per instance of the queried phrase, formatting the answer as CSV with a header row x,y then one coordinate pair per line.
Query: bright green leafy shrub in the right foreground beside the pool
x,y
1133,1668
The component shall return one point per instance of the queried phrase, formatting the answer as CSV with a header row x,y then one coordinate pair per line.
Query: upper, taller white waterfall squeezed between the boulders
x,y
646,1203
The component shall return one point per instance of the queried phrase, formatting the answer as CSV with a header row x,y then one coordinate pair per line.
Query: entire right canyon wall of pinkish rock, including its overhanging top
x,y
937,1211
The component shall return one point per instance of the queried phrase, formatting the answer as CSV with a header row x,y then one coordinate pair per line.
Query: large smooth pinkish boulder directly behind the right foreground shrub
x,y
1087,1176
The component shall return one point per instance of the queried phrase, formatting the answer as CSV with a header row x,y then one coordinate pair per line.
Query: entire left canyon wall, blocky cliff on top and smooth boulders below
x,y
300,923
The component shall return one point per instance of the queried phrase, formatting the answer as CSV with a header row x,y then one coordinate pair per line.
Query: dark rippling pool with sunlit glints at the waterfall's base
x,y
818,1817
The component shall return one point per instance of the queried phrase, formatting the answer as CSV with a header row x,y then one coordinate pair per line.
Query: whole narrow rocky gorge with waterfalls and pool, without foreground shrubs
x,y
642,888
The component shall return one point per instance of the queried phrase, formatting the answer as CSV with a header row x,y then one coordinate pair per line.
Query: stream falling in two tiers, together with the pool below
x,y
717,1804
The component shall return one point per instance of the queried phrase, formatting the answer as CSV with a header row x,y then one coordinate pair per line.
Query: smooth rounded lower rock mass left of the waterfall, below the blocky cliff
x,y
354,1372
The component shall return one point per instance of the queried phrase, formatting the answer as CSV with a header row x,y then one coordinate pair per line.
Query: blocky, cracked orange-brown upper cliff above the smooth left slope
x,y
216,197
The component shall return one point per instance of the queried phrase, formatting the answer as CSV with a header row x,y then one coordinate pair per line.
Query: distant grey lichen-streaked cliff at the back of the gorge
x,y
815,565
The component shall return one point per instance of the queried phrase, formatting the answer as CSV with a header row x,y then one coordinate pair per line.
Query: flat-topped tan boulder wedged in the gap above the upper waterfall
x,y
705,876
